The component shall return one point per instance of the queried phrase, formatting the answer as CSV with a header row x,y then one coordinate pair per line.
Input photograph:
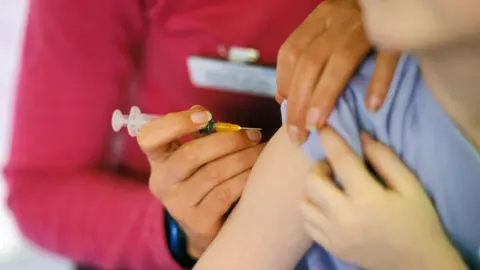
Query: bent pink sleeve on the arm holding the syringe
x,y
76,68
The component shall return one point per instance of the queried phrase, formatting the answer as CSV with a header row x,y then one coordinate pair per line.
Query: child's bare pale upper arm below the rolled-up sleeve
x,y
266,229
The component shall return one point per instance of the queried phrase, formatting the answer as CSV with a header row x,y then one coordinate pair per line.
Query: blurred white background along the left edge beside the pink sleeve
x,y
15,252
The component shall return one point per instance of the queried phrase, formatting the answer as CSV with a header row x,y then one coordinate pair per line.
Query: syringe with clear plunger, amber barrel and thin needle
x,y
136,120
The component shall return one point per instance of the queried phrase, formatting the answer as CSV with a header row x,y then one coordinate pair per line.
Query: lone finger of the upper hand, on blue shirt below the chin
x,y
385,65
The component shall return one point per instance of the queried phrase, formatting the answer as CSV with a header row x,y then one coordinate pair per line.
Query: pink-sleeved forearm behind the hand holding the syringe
x,y
90,217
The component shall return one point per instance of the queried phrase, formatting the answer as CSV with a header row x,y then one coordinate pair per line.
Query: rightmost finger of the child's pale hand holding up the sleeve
x,y
385,162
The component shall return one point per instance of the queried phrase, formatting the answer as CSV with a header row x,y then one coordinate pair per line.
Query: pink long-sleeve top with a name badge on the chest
x,y
75,188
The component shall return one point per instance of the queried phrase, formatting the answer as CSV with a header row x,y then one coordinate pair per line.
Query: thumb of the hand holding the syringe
x,y
164,130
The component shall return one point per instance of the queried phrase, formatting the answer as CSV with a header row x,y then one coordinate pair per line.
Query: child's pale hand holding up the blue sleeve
x,y
372,225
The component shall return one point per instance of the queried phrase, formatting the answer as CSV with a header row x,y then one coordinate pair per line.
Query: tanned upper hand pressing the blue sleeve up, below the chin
x,y
316,62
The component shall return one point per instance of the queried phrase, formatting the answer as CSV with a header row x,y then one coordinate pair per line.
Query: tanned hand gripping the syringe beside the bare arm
x,y
197,181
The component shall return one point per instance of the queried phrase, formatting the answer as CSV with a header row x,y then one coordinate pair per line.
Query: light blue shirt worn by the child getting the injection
x,y
427,141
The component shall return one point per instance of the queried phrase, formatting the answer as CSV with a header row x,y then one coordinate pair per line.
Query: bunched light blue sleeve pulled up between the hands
x,y
350,115
